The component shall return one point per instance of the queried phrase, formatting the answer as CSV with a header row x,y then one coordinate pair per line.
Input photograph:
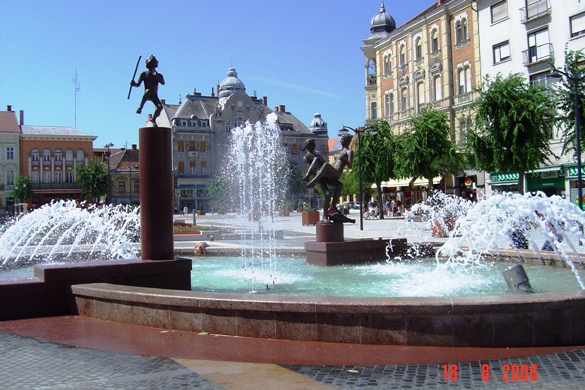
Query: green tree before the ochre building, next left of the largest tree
x,y
426,149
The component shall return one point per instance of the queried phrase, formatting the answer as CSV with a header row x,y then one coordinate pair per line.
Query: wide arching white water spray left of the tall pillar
x,y
67,230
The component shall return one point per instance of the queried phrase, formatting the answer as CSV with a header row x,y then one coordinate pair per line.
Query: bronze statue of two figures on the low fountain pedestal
x,y
326,176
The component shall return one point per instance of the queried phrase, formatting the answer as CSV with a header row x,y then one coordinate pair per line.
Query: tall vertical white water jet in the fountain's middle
x,y
256,171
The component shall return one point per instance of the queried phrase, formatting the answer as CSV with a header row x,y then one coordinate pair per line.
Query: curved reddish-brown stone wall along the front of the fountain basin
x,y
530,320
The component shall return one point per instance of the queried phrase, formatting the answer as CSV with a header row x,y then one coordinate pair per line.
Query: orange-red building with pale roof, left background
x,y
49,155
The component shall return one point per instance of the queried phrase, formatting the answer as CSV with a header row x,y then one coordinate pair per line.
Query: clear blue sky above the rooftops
x,y
304,54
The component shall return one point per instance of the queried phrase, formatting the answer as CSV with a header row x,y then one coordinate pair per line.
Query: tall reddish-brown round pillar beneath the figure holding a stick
x,y
156,193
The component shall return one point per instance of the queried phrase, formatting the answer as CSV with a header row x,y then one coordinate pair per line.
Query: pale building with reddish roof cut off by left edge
x,y
9,156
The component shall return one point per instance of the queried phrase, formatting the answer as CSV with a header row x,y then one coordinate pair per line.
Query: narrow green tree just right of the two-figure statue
x,y
376,157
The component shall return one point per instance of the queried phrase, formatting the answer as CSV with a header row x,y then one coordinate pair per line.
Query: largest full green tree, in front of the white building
x,y
513,126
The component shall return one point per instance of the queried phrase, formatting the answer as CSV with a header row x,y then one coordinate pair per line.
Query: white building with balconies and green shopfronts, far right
x,y
522,36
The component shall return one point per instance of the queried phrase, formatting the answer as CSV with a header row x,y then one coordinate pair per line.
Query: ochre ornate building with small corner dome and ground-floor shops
x,y
432,60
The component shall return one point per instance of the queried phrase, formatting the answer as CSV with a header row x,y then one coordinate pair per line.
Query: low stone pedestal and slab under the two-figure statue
x,y
330,249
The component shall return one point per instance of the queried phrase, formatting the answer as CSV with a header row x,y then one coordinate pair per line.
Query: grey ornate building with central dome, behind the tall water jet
x,y
201,126
